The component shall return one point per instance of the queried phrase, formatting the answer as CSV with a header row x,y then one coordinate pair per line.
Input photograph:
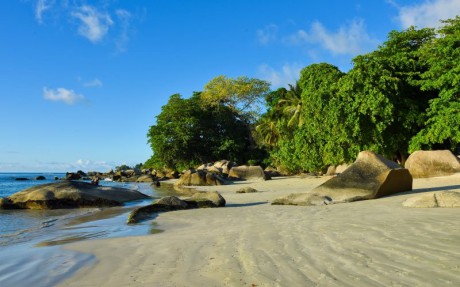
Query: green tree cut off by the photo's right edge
x,y
442,128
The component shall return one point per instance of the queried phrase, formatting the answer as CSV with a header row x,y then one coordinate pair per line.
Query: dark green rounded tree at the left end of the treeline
x,y
188,134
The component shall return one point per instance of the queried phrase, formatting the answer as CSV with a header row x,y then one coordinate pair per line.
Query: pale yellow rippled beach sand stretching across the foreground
x,y
252,243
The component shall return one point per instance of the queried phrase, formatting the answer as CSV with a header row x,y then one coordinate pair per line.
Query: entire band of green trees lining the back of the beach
x,y
401,97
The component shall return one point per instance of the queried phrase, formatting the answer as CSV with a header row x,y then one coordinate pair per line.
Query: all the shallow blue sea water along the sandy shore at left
x,y
31,240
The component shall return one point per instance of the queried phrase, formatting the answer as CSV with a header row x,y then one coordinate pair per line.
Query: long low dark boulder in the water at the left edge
x,y
69,194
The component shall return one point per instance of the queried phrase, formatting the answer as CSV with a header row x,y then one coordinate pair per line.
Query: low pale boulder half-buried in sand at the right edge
x,y
446,198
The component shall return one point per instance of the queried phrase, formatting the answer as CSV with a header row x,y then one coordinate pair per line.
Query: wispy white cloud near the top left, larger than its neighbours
x,y
94,24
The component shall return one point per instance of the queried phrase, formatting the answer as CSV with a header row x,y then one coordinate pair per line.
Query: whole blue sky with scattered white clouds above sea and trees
x,y
82,81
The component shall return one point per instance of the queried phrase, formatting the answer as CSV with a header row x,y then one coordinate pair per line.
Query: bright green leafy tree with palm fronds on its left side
x,y
299,147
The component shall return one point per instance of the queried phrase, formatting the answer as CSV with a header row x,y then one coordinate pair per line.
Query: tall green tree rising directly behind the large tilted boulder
x,y
383,106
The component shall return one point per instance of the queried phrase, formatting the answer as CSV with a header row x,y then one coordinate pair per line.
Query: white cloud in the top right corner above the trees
x,y
428,14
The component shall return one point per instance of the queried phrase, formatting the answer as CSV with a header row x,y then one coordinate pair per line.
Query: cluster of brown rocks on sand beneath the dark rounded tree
x,y
220,172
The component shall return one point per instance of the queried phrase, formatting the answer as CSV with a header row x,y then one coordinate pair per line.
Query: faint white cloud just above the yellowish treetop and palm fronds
x,y
288,74
